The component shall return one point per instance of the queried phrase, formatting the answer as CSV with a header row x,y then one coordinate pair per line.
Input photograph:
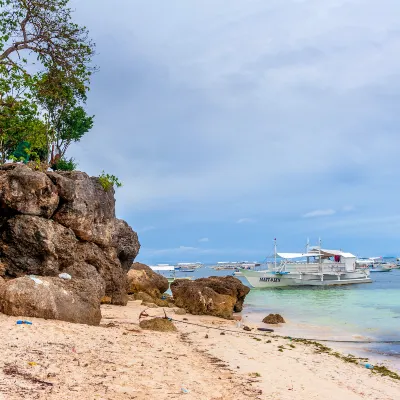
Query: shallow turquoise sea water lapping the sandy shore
x,y
343,314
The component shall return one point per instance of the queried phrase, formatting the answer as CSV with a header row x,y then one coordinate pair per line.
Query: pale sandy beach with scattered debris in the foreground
x,y
118,360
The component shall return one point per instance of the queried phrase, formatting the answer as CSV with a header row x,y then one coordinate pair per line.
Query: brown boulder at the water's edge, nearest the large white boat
x,y
218,296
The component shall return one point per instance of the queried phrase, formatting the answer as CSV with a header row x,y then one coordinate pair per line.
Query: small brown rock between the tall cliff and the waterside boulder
x,y
142,278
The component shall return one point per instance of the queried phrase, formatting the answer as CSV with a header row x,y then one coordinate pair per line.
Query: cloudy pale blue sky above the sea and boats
x,y
233,122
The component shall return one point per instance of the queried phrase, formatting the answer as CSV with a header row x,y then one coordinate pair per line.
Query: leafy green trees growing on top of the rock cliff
x,y
44,58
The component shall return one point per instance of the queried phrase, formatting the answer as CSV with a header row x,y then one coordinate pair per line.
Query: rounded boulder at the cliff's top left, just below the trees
x,y
27,192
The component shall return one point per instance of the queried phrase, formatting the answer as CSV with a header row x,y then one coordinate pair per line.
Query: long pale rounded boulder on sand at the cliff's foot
x,y
52,298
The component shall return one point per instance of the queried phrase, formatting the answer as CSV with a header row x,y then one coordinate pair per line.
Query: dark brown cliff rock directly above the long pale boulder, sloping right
x,y
37,246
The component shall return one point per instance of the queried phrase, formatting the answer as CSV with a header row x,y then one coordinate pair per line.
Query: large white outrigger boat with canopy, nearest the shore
x,y
316,267
